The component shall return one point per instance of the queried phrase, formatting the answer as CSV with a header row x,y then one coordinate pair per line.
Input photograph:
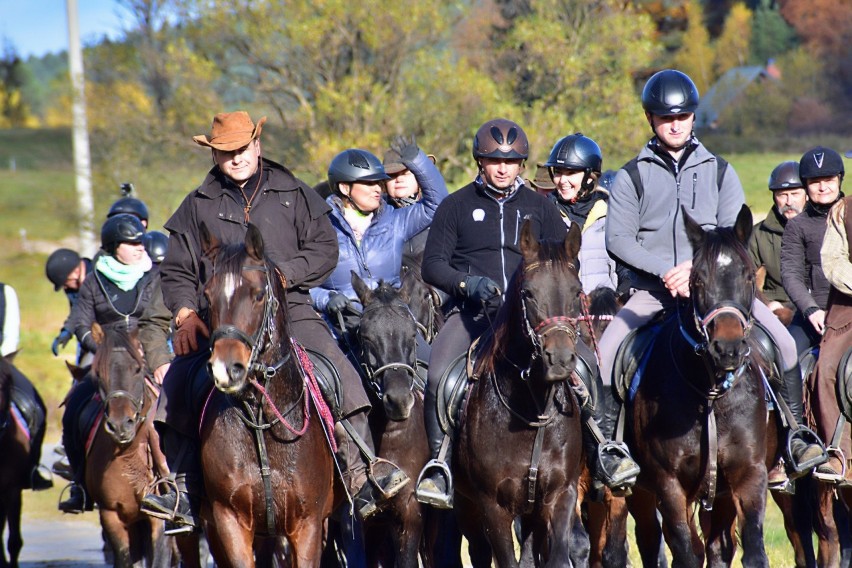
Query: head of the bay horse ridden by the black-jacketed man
x,y
550,299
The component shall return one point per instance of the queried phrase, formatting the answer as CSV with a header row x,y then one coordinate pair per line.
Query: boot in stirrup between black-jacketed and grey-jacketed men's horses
x,y
612,463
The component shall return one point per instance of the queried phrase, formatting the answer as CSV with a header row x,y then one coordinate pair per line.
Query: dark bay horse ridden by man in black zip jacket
x,y
519,449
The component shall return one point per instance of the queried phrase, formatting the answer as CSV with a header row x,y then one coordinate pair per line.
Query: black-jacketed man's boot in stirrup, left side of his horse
x,y
435,484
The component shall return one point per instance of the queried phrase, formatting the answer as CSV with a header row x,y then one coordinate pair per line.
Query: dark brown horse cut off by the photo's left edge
x,y
15,449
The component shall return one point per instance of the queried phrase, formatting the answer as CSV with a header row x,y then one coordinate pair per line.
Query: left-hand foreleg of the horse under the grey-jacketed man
x,y
679,526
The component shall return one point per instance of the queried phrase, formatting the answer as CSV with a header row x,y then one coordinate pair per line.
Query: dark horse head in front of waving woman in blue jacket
x,y
387,338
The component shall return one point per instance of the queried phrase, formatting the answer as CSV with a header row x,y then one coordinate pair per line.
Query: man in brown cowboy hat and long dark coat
x,y
242,188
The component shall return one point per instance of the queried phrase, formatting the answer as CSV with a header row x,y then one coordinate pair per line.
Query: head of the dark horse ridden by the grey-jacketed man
x,y
722,290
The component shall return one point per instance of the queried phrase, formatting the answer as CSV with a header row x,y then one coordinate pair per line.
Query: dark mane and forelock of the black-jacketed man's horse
x,y
498,342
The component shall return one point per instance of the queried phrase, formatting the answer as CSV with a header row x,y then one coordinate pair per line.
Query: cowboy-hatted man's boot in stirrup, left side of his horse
x,y
180,503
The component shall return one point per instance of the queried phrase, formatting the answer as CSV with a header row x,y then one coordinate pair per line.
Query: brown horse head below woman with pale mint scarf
x,y
120,372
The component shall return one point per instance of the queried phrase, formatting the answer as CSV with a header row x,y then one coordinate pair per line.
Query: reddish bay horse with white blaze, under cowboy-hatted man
x,y
267,463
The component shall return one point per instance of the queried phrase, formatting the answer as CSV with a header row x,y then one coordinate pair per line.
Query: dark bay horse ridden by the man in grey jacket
x,y
697,424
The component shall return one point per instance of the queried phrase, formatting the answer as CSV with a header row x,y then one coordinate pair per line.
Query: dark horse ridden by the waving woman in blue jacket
x,y
386,345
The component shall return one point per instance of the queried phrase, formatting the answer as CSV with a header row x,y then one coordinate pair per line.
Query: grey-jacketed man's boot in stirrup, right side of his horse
x,y
806,450
